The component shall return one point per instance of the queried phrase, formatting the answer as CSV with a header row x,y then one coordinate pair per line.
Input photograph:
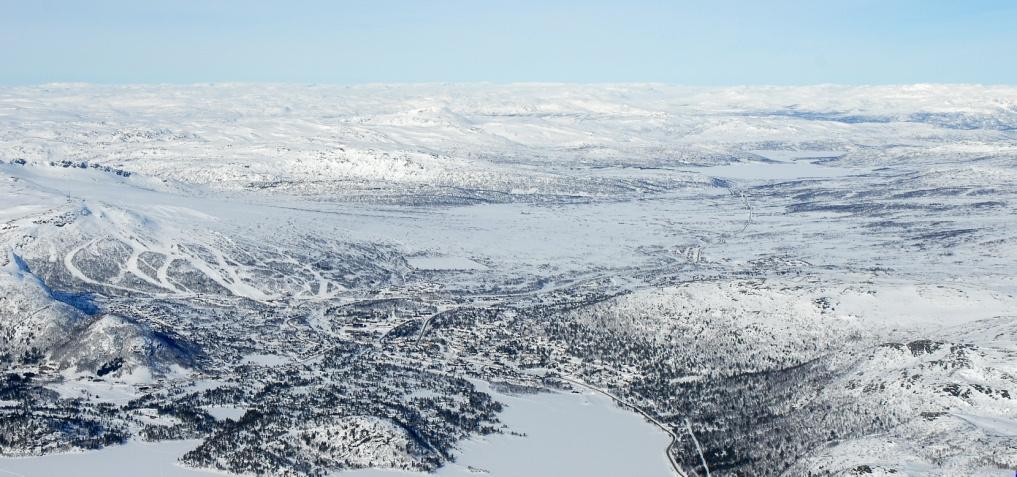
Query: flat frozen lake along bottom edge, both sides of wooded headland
x,y
583,435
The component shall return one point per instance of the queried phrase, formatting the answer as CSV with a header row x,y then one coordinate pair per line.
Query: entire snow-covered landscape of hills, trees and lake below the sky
x,y
527,280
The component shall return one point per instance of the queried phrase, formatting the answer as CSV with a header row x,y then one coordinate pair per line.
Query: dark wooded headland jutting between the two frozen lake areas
x,y
290,404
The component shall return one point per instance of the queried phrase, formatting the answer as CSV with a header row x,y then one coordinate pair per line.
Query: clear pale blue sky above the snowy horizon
x,y
699,43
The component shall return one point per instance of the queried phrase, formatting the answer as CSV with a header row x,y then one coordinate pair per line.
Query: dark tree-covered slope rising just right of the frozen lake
x,y
755,409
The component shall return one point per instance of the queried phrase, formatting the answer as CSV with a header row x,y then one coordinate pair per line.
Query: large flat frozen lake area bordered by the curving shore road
x,y
583,435
